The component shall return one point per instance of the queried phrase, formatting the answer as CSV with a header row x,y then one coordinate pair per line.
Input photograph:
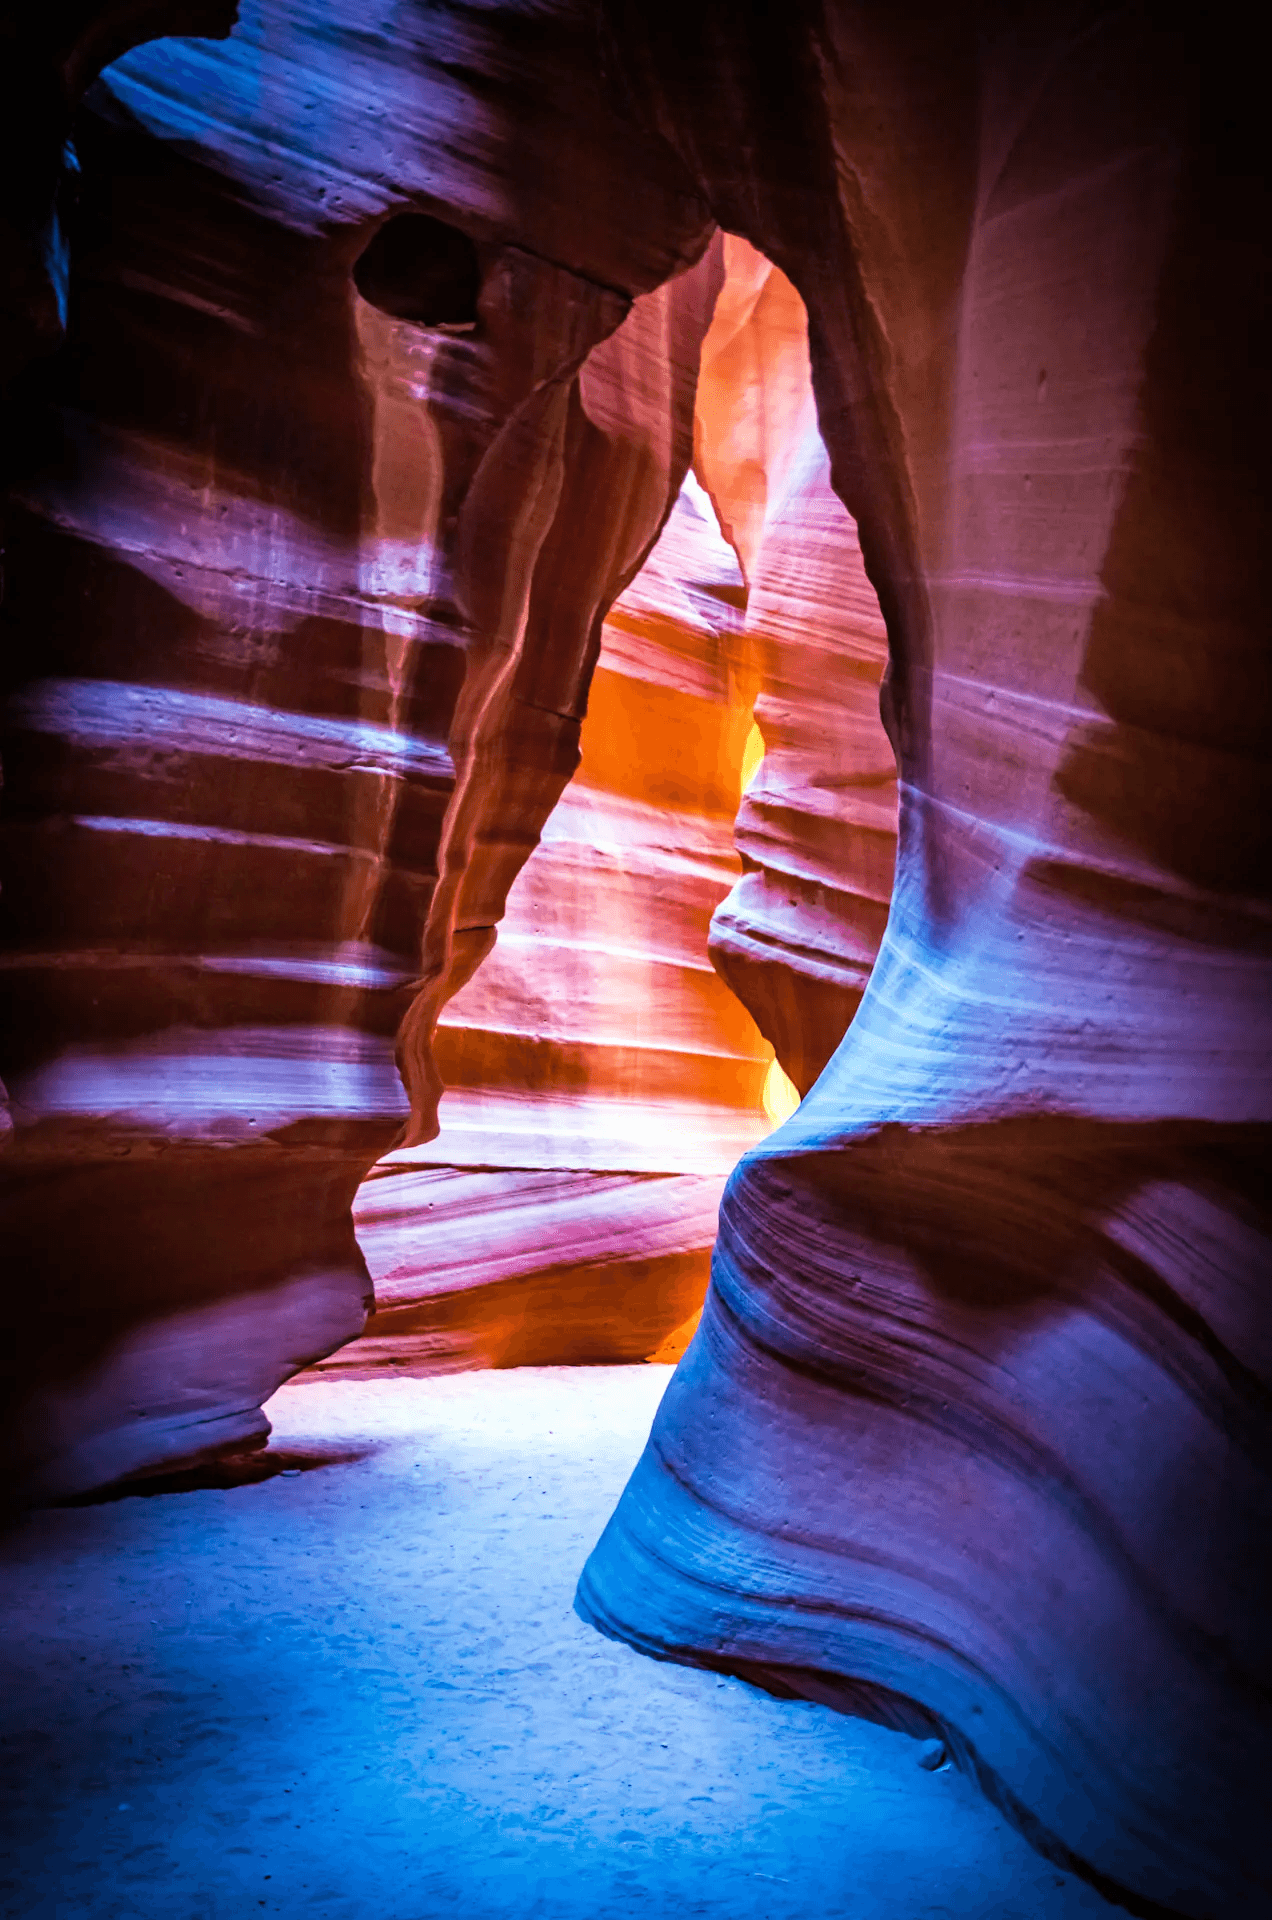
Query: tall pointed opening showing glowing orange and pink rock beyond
x,y
687,942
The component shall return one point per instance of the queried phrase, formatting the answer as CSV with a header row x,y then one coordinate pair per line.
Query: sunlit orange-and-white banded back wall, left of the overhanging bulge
x,y
600,1078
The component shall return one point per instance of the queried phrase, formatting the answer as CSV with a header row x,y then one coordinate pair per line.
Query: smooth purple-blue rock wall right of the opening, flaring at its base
x,y
975,1429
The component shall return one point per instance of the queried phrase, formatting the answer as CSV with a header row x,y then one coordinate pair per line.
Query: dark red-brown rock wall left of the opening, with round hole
x,y
312,527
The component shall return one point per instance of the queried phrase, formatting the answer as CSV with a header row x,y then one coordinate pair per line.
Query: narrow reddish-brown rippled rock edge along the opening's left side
x,y
624,456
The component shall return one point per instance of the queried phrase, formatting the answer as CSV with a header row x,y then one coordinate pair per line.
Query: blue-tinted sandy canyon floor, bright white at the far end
x,y
356,1689
